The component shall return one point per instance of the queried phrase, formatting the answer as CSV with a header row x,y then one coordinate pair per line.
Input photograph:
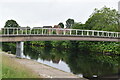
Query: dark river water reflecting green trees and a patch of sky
x,y
75,61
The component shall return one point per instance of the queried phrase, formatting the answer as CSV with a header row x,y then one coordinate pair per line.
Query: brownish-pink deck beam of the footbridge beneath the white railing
x,y
15,38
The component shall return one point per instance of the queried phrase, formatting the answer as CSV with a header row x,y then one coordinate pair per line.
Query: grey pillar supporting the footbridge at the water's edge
x,y
19,49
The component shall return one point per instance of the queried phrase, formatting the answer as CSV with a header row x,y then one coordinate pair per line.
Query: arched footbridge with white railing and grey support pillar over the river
x,y
19,35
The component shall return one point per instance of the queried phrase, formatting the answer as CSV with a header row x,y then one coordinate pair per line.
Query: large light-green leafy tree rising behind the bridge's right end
x,y
103,19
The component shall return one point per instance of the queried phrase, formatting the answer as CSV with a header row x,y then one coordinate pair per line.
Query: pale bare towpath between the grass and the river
x,y
41,70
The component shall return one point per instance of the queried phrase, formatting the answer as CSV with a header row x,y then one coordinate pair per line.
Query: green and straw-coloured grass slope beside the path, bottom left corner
x,y
12,69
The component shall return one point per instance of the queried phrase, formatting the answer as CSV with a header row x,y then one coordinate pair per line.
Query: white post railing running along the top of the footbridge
x,y
58,31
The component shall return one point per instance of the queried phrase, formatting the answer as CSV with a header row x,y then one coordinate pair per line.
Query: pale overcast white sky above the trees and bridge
x,y
38,13
